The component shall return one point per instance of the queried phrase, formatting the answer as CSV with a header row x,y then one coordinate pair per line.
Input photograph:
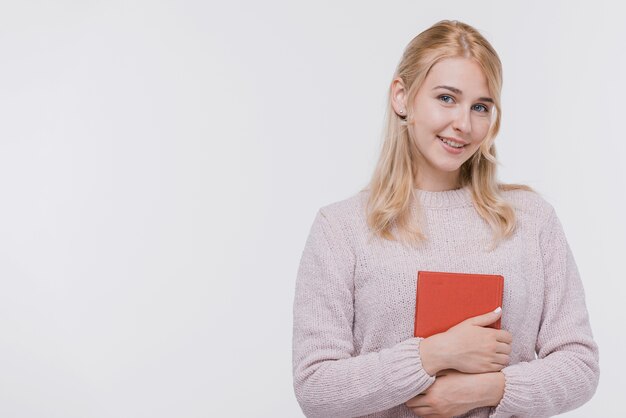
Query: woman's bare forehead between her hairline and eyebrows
x,y
464,74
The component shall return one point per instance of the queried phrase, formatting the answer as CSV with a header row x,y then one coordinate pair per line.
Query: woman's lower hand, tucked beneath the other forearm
x,y
453,393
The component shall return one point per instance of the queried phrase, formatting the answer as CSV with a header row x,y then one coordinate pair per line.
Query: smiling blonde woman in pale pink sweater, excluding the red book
x,y
434,203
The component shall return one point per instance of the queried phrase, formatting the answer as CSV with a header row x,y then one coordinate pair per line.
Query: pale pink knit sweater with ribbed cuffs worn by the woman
x,y
354,353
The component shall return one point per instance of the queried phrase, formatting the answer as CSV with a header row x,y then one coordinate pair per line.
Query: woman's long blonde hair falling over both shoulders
x,y
392,185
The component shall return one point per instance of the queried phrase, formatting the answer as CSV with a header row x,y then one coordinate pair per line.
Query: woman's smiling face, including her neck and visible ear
x,y
451,117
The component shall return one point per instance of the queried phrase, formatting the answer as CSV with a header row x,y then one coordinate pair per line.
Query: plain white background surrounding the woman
x,y
161,164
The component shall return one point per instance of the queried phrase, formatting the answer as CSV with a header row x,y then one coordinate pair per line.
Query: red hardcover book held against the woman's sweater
x,y
445,299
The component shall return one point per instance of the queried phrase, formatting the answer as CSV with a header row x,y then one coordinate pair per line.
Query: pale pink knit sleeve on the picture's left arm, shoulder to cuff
x,y
330,379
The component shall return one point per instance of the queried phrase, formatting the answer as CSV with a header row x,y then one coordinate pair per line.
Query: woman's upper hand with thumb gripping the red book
x,y
469,347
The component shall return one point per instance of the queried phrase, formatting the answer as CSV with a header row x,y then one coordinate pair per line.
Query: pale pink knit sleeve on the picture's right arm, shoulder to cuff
x,y
565,374
